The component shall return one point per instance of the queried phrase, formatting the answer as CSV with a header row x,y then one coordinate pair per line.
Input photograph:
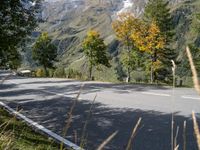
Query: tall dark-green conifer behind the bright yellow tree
x,y
158,11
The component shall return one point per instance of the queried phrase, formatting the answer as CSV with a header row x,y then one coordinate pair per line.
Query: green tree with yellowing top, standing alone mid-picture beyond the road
x,y
95,50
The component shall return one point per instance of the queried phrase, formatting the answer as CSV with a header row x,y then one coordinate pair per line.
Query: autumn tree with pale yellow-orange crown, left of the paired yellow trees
x,y
124,26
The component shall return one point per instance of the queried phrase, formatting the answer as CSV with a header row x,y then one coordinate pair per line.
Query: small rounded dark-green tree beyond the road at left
x,y
44,52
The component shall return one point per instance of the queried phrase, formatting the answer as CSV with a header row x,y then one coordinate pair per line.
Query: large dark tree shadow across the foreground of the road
x,y
153,133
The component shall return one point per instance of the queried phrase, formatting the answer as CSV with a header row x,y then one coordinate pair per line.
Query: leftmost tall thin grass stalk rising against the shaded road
x,y
69,116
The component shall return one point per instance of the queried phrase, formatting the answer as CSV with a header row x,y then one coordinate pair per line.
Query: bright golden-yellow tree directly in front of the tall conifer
x,y
149,39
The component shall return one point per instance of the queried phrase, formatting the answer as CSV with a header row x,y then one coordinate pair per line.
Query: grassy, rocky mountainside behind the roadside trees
x,y
68,21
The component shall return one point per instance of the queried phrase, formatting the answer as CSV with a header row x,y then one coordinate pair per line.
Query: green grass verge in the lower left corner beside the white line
x,y
17,135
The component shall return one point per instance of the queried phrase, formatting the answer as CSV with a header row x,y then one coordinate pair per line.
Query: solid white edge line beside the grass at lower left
x,y
42,128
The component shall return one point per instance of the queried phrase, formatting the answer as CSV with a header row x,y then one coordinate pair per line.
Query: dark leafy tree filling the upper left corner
x,y
17,20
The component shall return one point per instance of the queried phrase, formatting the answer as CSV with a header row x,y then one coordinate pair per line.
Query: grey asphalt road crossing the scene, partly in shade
x,y
117,107
